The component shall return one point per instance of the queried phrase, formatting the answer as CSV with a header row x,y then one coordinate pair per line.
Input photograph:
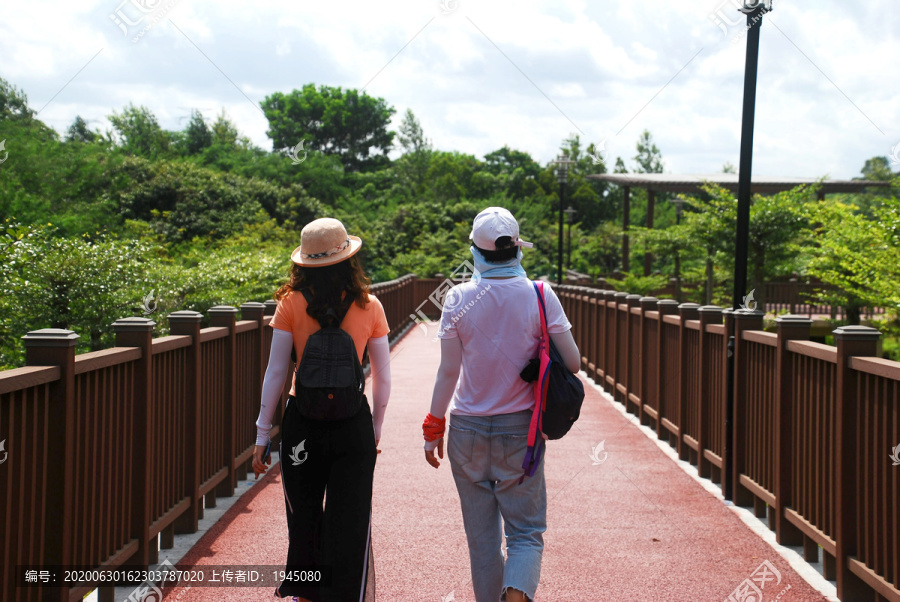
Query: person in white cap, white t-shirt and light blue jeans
x,y
490,329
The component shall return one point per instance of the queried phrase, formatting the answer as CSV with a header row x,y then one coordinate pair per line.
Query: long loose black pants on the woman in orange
x,y
330,461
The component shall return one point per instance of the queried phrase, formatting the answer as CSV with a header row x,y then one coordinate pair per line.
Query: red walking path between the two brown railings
x,y
634,526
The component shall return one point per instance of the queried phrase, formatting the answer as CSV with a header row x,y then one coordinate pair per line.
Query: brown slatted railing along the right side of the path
x,y
813,425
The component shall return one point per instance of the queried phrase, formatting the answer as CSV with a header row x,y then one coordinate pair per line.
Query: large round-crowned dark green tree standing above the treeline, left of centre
x,y
349,124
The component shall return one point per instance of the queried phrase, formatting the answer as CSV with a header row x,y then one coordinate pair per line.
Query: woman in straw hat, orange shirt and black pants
x,y
330,461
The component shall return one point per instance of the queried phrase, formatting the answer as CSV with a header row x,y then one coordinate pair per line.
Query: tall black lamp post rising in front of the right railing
x,y
754,9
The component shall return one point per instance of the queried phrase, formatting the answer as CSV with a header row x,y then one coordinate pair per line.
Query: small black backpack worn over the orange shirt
x,y
329,383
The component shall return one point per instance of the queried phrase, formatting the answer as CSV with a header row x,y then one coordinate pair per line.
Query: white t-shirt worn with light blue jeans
x,y
499,325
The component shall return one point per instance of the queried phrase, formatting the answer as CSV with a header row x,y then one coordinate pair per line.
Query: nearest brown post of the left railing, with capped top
x,y
56,347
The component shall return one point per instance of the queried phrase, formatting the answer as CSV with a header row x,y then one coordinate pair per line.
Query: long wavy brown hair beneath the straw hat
x,y
327,284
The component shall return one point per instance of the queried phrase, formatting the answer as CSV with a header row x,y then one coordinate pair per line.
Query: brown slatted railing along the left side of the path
x,y
105,451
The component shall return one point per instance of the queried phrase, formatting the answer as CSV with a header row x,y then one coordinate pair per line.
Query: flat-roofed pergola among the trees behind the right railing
x,y
693,184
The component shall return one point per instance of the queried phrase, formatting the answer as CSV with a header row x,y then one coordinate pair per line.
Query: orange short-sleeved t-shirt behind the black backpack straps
x,y
360,324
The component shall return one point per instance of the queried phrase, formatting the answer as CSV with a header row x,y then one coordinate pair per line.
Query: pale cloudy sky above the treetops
x,y
481,75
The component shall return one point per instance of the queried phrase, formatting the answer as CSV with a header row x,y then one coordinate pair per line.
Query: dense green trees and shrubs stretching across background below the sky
x,y
94,222
